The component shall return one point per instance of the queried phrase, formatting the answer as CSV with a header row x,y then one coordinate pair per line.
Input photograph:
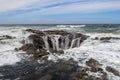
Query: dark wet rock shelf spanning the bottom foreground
x,y
49,70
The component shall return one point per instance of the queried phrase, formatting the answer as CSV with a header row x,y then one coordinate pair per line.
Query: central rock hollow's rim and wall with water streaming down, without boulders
x,y
56,39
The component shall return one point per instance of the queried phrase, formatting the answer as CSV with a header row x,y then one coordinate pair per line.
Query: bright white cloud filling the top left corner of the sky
x,y
10,5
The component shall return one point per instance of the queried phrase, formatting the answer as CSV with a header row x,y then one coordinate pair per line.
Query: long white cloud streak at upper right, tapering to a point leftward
x,y
83,7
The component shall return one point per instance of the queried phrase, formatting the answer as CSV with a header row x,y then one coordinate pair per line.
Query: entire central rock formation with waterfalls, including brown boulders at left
x,y
54,41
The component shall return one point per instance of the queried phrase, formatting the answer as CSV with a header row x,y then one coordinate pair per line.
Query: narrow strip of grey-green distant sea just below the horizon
x,y
88,28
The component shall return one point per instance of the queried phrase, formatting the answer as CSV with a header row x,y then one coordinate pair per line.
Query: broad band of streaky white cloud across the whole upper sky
x,y
53,7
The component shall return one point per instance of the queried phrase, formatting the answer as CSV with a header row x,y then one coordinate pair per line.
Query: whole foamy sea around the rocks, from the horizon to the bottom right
x,y
106,52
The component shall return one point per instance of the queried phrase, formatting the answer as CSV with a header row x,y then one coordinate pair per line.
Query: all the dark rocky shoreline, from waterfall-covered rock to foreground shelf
x,y
43,43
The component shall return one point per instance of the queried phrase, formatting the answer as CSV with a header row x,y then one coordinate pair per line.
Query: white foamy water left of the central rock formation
x,y
8,55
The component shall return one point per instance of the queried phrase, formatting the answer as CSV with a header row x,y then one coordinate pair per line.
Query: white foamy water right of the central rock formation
x,y
107,53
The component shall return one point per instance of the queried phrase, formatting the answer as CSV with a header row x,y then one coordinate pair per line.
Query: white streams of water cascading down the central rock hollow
x,y
64,43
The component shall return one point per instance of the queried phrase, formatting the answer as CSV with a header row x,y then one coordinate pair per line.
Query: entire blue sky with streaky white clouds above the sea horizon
x,y
59,11
